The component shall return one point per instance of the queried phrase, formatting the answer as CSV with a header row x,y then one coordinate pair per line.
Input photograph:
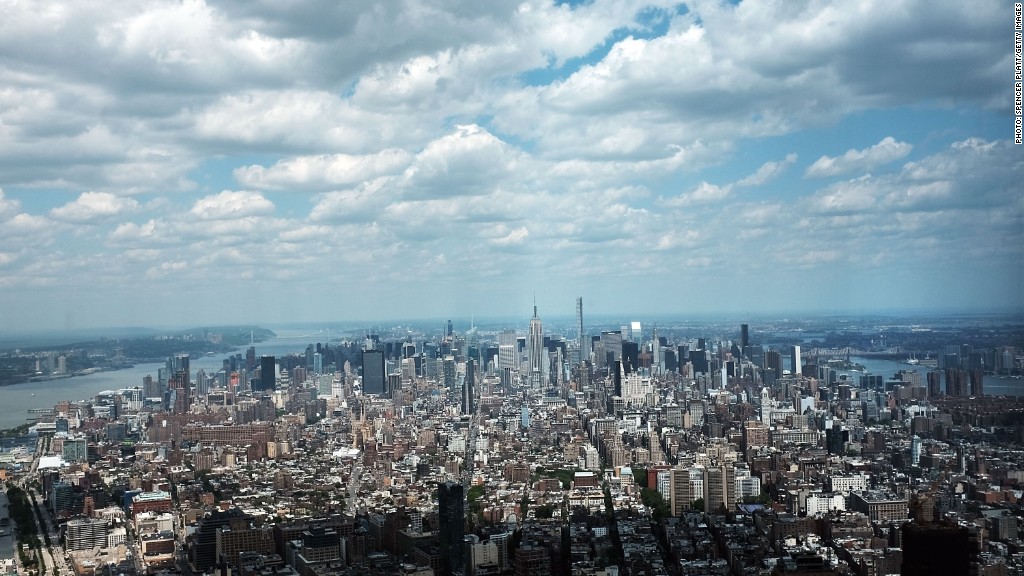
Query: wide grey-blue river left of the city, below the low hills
x,y
17,400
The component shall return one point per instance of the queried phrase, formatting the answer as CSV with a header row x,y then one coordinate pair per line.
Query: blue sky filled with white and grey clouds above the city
x,y
194,163
